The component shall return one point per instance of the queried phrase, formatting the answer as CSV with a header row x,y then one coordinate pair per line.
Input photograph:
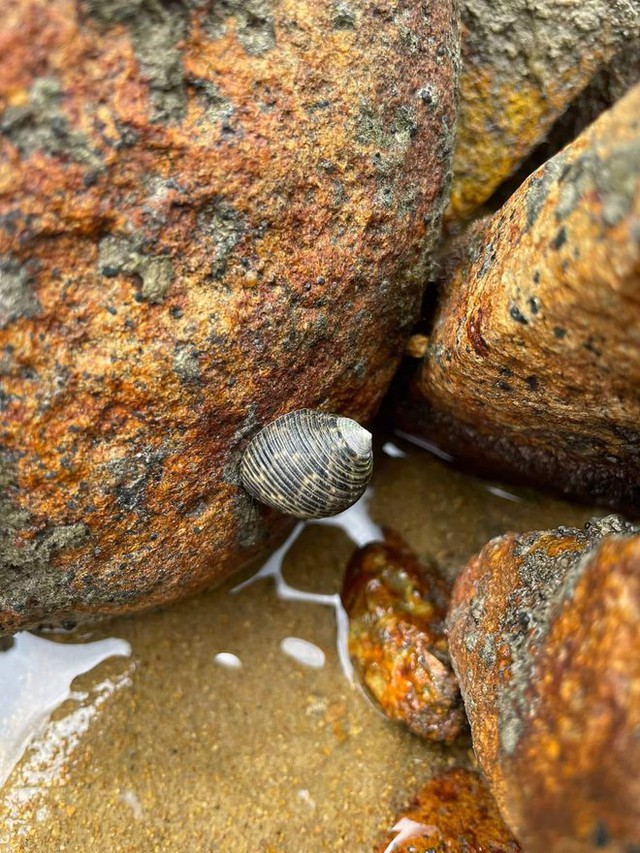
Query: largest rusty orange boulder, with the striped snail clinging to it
x,y
211,214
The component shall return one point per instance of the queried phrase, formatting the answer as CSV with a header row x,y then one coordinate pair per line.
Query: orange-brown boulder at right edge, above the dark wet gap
x,y
533,367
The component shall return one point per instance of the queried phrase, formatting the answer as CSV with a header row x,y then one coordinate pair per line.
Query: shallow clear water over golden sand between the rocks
x,y
233,724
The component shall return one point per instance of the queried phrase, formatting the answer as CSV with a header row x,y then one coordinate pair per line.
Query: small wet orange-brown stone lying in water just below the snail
x,y
396,610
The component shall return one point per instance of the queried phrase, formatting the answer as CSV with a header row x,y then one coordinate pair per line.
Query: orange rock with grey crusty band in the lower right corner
x,y
544,633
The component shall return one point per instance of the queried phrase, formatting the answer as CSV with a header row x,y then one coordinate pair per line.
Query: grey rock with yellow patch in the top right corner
x,y
522,65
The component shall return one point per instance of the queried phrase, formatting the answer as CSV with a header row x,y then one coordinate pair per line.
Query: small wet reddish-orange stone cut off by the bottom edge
x,y
452,813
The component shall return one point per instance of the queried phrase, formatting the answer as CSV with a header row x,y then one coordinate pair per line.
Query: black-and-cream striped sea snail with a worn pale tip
x,y
308,464
